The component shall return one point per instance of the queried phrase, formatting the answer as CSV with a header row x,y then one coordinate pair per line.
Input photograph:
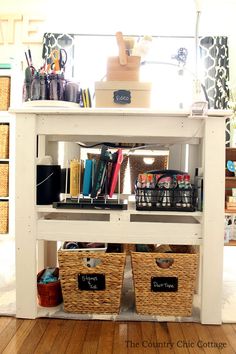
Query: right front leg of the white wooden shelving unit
x,y
213,220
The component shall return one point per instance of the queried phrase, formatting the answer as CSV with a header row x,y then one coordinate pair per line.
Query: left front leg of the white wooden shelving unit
x,y
25,221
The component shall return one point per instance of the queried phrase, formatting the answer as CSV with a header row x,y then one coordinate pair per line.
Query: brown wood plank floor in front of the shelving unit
x,y
104,337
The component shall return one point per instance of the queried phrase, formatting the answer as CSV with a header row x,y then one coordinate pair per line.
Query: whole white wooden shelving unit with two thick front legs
x,y
34,223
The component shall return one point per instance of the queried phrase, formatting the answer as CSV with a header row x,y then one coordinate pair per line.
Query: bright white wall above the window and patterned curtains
x,y
154,17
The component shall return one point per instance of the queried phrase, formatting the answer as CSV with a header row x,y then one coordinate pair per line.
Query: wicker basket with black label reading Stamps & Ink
x,y
73,268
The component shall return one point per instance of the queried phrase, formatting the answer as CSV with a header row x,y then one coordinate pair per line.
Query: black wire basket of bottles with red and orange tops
x,y
166,190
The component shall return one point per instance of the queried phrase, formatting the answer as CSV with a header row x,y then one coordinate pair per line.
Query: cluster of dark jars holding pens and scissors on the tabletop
x,y
49,82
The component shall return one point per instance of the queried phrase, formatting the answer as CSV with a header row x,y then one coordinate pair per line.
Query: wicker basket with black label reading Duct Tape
x,y
164,282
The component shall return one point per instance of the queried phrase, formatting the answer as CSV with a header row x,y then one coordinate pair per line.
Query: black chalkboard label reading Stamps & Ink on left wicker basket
x,y
91,282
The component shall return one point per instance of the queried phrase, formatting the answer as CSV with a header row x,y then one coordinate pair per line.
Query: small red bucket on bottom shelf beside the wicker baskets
x,y
49,295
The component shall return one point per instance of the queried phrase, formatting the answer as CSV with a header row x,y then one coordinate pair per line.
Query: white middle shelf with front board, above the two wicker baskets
x,y
130,226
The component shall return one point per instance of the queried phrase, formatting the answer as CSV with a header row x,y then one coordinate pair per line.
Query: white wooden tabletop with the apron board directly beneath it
x,y
119,124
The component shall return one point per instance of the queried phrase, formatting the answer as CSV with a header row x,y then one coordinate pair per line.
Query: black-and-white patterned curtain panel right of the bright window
x,y
214,52
